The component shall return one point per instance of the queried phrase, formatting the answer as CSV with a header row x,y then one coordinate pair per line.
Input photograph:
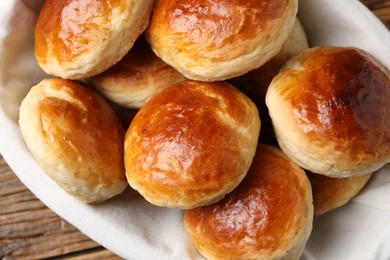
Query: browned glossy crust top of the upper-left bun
x,y
72,31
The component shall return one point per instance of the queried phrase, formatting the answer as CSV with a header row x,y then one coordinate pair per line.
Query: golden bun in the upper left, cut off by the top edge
x,y
79,39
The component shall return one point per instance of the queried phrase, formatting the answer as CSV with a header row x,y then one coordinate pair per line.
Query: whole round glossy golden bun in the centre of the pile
x,y
191,144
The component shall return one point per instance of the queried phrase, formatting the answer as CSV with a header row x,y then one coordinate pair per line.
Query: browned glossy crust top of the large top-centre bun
x,y
190,19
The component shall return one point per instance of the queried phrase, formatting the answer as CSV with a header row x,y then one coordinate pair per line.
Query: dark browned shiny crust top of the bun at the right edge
x,y
347,94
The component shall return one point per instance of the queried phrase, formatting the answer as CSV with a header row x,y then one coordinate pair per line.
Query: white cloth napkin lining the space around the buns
x,y
134,229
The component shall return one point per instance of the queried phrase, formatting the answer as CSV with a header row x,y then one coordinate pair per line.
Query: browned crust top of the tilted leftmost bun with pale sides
x,y
63,119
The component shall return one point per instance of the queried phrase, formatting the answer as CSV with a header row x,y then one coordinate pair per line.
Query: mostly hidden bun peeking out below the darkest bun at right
x,y
331,193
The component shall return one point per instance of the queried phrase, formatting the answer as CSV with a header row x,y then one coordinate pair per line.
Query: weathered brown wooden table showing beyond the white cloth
x,y
29,230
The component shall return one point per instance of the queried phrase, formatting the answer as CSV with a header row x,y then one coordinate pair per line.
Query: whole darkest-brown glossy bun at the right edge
x,y
330,108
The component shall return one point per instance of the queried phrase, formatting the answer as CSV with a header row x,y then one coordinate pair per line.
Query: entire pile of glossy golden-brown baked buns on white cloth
x,y
219,108
